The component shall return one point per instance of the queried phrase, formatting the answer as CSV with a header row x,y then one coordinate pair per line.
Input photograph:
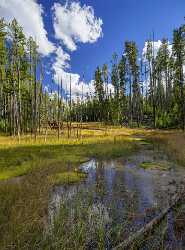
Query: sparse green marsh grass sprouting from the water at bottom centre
x,y
79,225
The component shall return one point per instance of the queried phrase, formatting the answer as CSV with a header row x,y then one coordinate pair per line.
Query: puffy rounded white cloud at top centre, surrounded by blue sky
x,y
73,23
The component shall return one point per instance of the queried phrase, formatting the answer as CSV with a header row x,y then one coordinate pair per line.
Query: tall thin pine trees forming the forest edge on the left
x,y
25,106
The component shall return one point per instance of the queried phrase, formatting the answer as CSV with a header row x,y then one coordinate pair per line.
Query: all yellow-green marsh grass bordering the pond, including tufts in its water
x,y
30,169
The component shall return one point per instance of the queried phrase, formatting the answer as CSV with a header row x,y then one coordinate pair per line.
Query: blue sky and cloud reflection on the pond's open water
x,y
139,183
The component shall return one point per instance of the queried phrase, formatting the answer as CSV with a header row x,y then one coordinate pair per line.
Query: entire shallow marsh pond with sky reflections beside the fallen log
x,y
126,195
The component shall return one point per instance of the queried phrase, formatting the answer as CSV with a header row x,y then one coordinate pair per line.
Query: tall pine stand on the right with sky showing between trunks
x,y
149,89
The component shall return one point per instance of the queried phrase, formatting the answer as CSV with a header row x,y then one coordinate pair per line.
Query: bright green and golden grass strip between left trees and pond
x,y
19,159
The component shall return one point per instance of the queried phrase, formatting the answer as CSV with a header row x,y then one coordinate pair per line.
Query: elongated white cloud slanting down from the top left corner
x,y
28,13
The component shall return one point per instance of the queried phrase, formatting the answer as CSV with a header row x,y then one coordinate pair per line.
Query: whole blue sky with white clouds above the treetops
x,y
76,36
